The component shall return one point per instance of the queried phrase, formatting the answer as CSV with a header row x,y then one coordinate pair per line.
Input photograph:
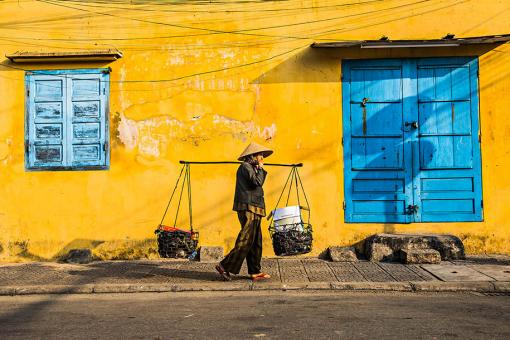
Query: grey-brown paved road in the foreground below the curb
x,y
273,315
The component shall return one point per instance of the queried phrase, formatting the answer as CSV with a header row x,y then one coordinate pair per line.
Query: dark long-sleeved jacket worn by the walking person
x,y
249,181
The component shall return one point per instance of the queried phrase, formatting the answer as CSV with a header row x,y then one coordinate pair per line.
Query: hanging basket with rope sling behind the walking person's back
x,y
172,241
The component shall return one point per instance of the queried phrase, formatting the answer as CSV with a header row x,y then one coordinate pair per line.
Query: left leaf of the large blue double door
x,y
373,108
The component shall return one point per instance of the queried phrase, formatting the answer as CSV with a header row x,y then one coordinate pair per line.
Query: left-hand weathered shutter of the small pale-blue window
x,y
45,126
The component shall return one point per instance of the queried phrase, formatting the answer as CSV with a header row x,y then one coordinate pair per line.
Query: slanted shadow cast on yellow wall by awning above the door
x,y
323,65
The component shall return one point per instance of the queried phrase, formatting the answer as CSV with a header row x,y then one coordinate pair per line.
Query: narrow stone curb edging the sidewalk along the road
x,y
419,286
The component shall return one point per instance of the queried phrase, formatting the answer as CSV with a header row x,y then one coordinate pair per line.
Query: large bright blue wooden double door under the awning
x,y
411,140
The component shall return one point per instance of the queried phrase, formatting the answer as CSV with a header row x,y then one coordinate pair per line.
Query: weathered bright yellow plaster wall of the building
x,y
276,90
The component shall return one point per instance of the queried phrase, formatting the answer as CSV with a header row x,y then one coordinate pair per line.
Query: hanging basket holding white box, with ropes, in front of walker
x,y
291,236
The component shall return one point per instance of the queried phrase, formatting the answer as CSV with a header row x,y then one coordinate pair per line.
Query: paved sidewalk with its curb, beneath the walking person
x,y
486,274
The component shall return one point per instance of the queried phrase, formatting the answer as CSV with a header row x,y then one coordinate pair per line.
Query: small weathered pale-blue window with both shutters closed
x,y
67,120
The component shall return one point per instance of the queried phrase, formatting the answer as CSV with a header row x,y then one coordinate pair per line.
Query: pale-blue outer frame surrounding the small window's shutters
x,y
104,128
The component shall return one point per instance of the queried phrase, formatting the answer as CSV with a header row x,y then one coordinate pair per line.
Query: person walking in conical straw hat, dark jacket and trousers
x,y
250,207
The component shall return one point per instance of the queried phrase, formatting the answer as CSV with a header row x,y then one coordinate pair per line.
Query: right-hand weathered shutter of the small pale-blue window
x,y
87,123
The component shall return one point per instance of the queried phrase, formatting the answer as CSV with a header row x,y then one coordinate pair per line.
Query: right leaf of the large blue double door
x,y
449,165
